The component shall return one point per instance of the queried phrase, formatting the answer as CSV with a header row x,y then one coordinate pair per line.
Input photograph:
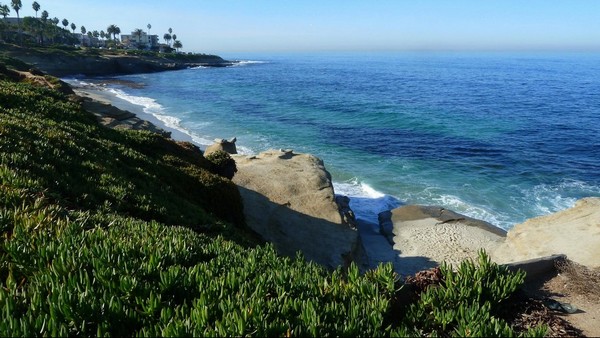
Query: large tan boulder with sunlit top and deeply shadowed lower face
x,y
289,200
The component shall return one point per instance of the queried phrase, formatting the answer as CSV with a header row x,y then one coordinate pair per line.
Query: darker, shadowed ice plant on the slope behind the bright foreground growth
x,y
128,170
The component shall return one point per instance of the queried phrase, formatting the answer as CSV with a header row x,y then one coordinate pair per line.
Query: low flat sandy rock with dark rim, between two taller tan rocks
x,y
426,236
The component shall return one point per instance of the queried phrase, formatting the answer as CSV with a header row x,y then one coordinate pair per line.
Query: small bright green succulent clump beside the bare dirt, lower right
x,y
465,302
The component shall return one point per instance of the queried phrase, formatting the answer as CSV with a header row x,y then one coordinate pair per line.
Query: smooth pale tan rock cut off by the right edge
x,y
574,232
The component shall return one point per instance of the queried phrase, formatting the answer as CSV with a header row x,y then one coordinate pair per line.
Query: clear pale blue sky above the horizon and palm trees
x,y
226,26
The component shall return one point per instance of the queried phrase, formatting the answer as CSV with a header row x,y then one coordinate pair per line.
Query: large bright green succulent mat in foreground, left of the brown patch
x,y
72,273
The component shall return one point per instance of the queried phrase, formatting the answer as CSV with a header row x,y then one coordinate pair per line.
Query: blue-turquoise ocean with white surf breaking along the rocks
x,y
501,137
